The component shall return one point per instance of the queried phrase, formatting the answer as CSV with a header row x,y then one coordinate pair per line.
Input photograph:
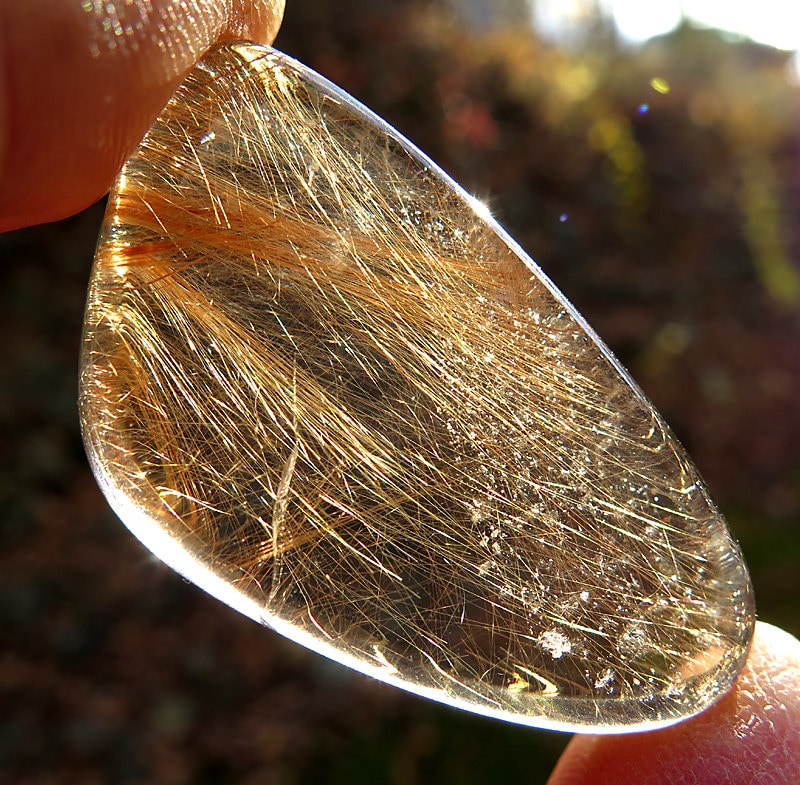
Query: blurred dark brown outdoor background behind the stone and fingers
x,y
650,163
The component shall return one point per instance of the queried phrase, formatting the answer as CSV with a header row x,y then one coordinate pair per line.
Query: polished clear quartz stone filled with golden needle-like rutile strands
x,y
322,383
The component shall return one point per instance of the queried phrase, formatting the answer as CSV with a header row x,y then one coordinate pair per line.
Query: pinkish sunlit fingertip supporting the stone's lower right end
x,y
751,735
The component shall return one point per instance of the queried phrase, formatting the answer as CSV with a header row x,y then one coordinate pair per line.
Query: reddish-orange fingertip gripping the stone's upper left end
x,y
80,84
